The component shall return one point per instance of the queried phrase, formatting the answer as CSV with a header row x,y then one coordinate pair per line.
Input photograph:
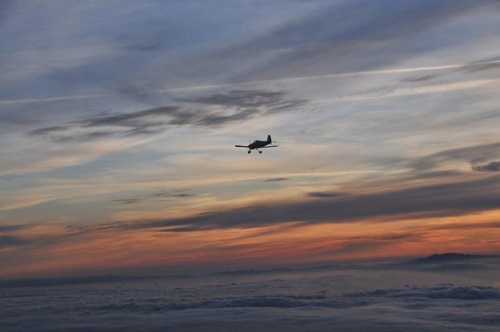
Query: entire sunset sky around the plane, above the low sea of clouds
x,y
118,121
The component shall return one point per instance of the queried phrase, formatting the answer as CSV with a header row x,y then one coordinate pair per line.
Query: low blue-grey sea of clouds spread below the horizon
x,y
302,302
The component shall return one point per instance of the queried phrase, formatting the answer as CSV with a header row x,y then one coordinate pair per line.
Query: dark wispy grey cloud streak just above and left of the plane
x,y
203,111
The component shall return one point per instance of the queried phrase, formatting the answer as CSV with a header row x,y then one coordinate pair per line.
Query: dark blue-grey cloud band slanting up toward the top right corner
x,y
343,37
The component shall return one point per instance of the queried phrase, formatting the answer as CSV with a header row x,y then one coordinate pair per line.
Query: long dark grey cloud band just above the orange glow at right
x,y
446,199
